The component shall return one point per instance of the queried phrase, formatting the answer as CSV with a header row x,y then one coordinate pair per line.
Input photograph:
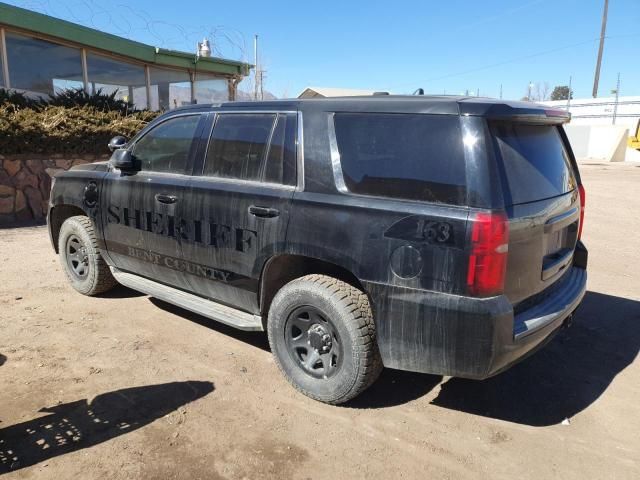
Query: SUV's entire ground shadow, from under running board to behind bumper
x,y
559,381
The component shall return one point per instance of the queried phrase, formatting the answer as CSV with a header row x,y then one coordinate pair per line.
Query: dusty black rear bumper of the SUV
x,y
467,337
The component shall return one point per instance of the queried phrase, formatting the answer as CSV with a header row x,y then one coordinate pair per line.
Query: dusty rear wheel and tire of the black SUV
x,y
318,313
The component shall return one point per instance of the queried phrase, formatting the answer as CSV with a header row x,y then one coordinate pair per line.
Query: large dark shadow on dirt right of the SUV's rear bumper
x,y
565,377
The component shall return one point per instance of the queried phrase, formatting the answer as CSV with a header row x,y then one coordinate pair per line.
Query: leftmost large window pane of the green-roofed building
x,y
42,67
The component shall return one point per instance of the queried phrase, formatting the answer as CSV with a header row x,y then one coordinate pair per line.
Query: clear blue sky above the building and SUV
x,y
443,46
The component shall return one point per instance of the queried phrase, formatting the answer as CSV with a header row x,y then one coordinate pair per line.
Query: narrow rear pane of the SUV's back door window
x,y
281,161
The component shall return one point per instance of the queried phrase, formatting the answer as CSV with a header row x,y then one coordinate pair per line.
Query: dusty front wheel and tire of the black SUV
x,y
81,259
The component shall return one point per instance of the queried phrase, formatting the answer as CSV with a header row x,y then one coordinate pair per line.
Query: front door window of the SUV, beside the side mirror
x,y
166,147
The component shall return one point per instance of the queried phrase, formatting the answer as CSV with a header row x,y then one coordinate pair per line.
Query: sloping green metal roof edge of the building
x,y
63,30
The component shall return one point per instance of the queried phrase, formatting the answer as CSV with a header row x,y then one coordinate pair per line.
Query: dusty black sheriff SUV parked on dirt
x,y
431,234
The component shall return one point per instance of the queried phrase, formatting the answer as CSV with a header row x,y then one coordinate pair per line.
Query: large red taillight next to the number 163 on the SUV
x,y
488,257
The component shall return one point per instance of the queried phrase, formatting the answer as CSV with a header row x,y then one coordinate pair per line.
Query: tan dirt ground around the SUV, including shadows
x,y
125,386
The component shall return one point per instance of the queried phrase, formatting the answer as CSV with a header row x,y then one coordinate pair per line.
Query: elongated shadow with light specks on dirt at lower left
x,y
81,424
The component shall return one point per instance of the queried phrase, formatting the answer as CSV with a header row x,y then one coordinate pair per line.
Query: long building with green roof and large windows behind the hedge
x,y
41,55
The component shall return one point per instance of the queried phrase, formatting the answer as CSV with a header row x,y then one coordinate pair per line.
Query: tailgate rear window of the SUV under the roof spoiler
x,y
534,163
